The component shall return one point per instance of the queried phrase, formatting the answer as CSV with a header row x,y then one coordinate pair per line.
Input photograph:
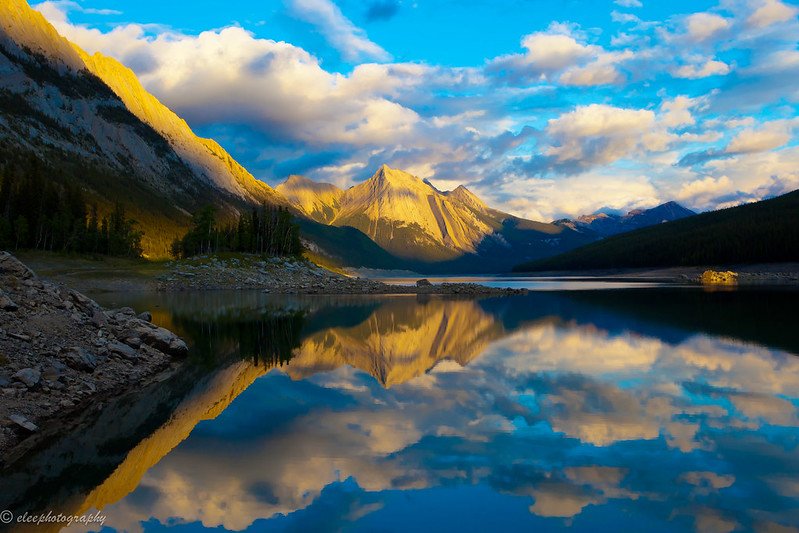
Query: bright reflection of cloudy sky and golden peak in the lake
x,y
373,424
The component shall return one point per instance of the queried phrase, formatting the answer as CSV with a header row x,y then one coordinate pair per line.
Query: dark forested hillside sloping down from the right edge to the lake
x,y
761,232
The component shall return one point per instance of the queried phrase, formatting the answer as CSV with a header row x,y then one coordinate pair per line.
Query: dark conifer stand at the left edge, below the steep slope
x,y
40,214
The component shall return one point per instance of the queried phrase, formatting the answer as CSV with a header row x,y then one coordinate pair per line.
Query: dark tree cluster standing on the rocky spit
x,y
268,230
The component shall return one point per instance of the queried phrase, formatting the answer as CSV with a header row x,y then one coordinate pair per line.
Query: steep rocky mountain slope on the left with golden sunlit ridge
x,y
88,120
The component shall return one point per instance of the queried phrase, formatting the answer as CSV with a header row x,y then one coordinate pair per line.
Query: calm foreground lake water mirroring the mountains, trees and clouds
x,y
657,409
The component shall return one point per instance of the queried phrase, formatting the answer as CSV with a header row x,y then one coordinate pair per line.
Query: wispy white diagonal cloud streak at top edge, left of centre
x,y
339,31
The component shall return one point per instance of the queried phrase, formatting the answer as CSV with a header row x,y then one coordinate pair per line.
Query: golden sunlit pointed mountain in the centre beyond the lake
x,y
430,230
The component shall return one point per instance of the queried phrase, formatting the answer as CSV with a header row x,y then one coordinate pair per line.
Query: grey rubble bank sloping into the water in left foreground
x,y
62,354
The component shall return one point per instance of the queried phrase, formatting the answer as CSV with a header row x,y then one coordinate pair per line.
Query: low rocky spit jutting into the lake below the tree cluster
x,y
294,276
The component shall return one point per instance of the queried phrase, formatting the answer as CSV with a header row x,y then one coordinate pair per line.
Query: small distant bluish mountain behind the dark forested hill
x,y
606,224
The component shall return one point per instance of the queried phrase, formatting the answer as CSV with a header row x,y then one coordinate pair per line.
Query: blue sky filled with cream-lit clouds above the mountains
x,y
546,109
